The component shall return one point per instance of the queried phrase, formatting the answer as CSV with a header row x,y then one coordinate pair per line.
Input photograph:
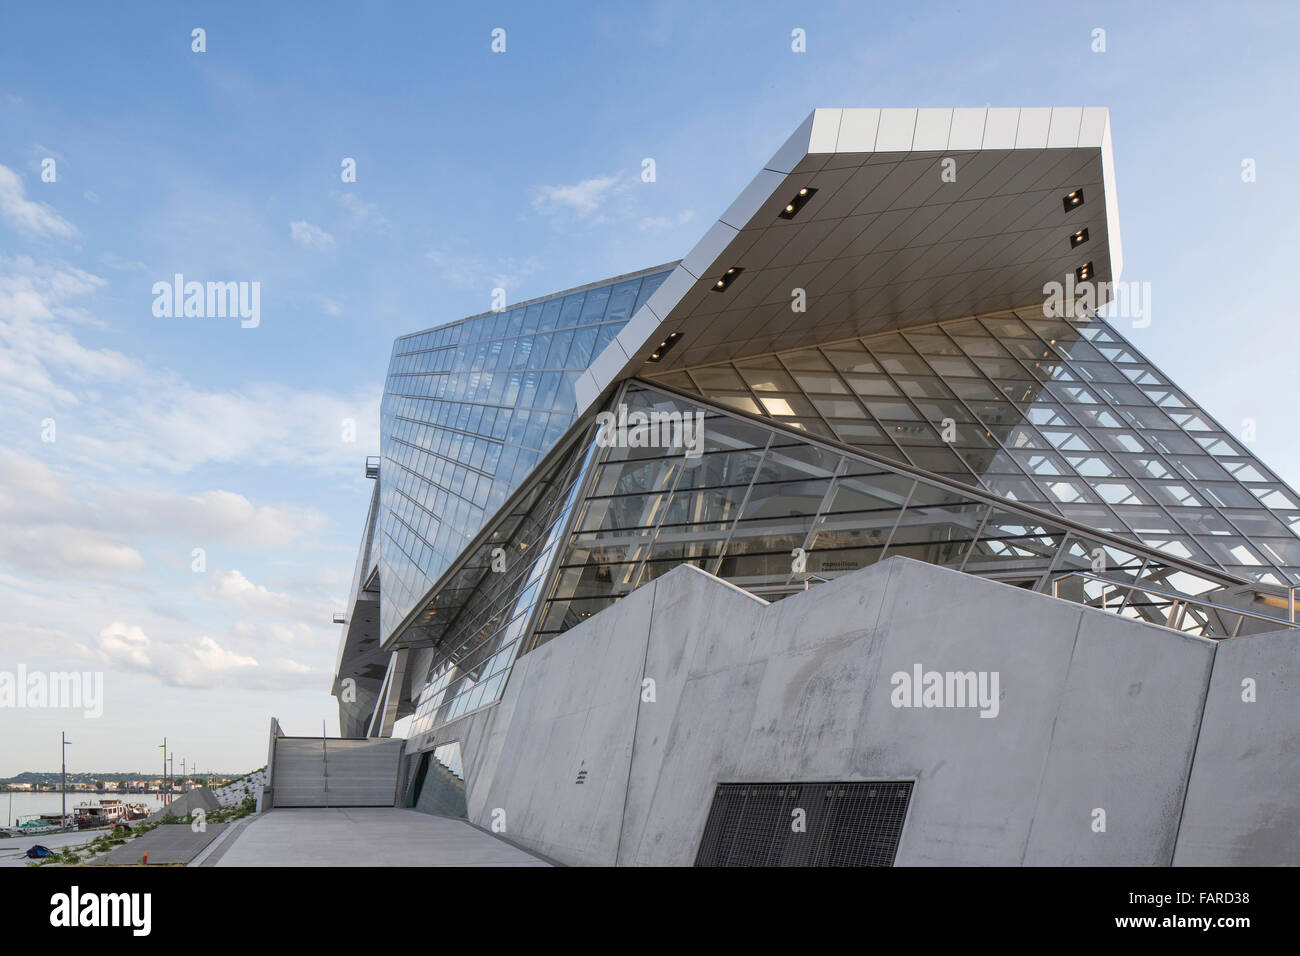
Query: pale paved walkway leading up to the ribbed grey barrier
x,y
370,837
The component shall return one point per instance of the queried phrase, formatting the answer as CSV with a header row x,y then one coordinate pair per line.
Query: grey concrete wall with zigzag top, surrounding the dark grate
x,y
1095,713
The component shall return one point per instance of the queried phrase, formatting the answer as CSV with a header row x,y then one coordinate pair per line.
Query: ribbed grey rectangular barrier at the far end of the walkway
x,y
322,772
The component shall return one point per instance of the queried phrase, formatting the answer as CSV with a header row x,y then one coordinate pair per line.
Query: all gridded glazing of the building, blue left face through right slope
x,y
1035,452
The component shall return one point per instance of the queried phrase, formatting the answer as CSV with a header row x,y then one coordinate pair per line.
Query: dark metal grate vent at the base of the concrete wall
x,y
840,825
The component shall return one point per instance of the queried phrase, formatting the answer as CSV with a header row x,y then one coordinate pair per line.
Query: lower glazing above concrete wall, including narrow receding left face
x,y
606,520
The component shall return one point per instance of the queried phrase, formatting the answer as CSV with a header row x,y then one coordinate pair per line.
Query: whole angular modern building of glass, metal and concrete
x,y
856,537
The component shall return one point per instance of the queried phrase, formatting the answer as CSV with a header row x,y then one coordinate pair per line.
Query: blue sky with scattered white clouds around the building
x,y
474,171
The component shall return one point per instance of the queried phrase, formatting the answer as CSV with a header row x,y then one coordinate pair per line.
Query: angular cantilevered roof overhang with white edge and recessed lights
x,y
895,235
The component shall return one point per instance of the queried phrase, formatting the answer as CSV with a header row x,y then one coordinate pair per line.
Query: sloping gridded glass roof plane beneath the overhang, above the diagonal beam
x,y
1061,416
